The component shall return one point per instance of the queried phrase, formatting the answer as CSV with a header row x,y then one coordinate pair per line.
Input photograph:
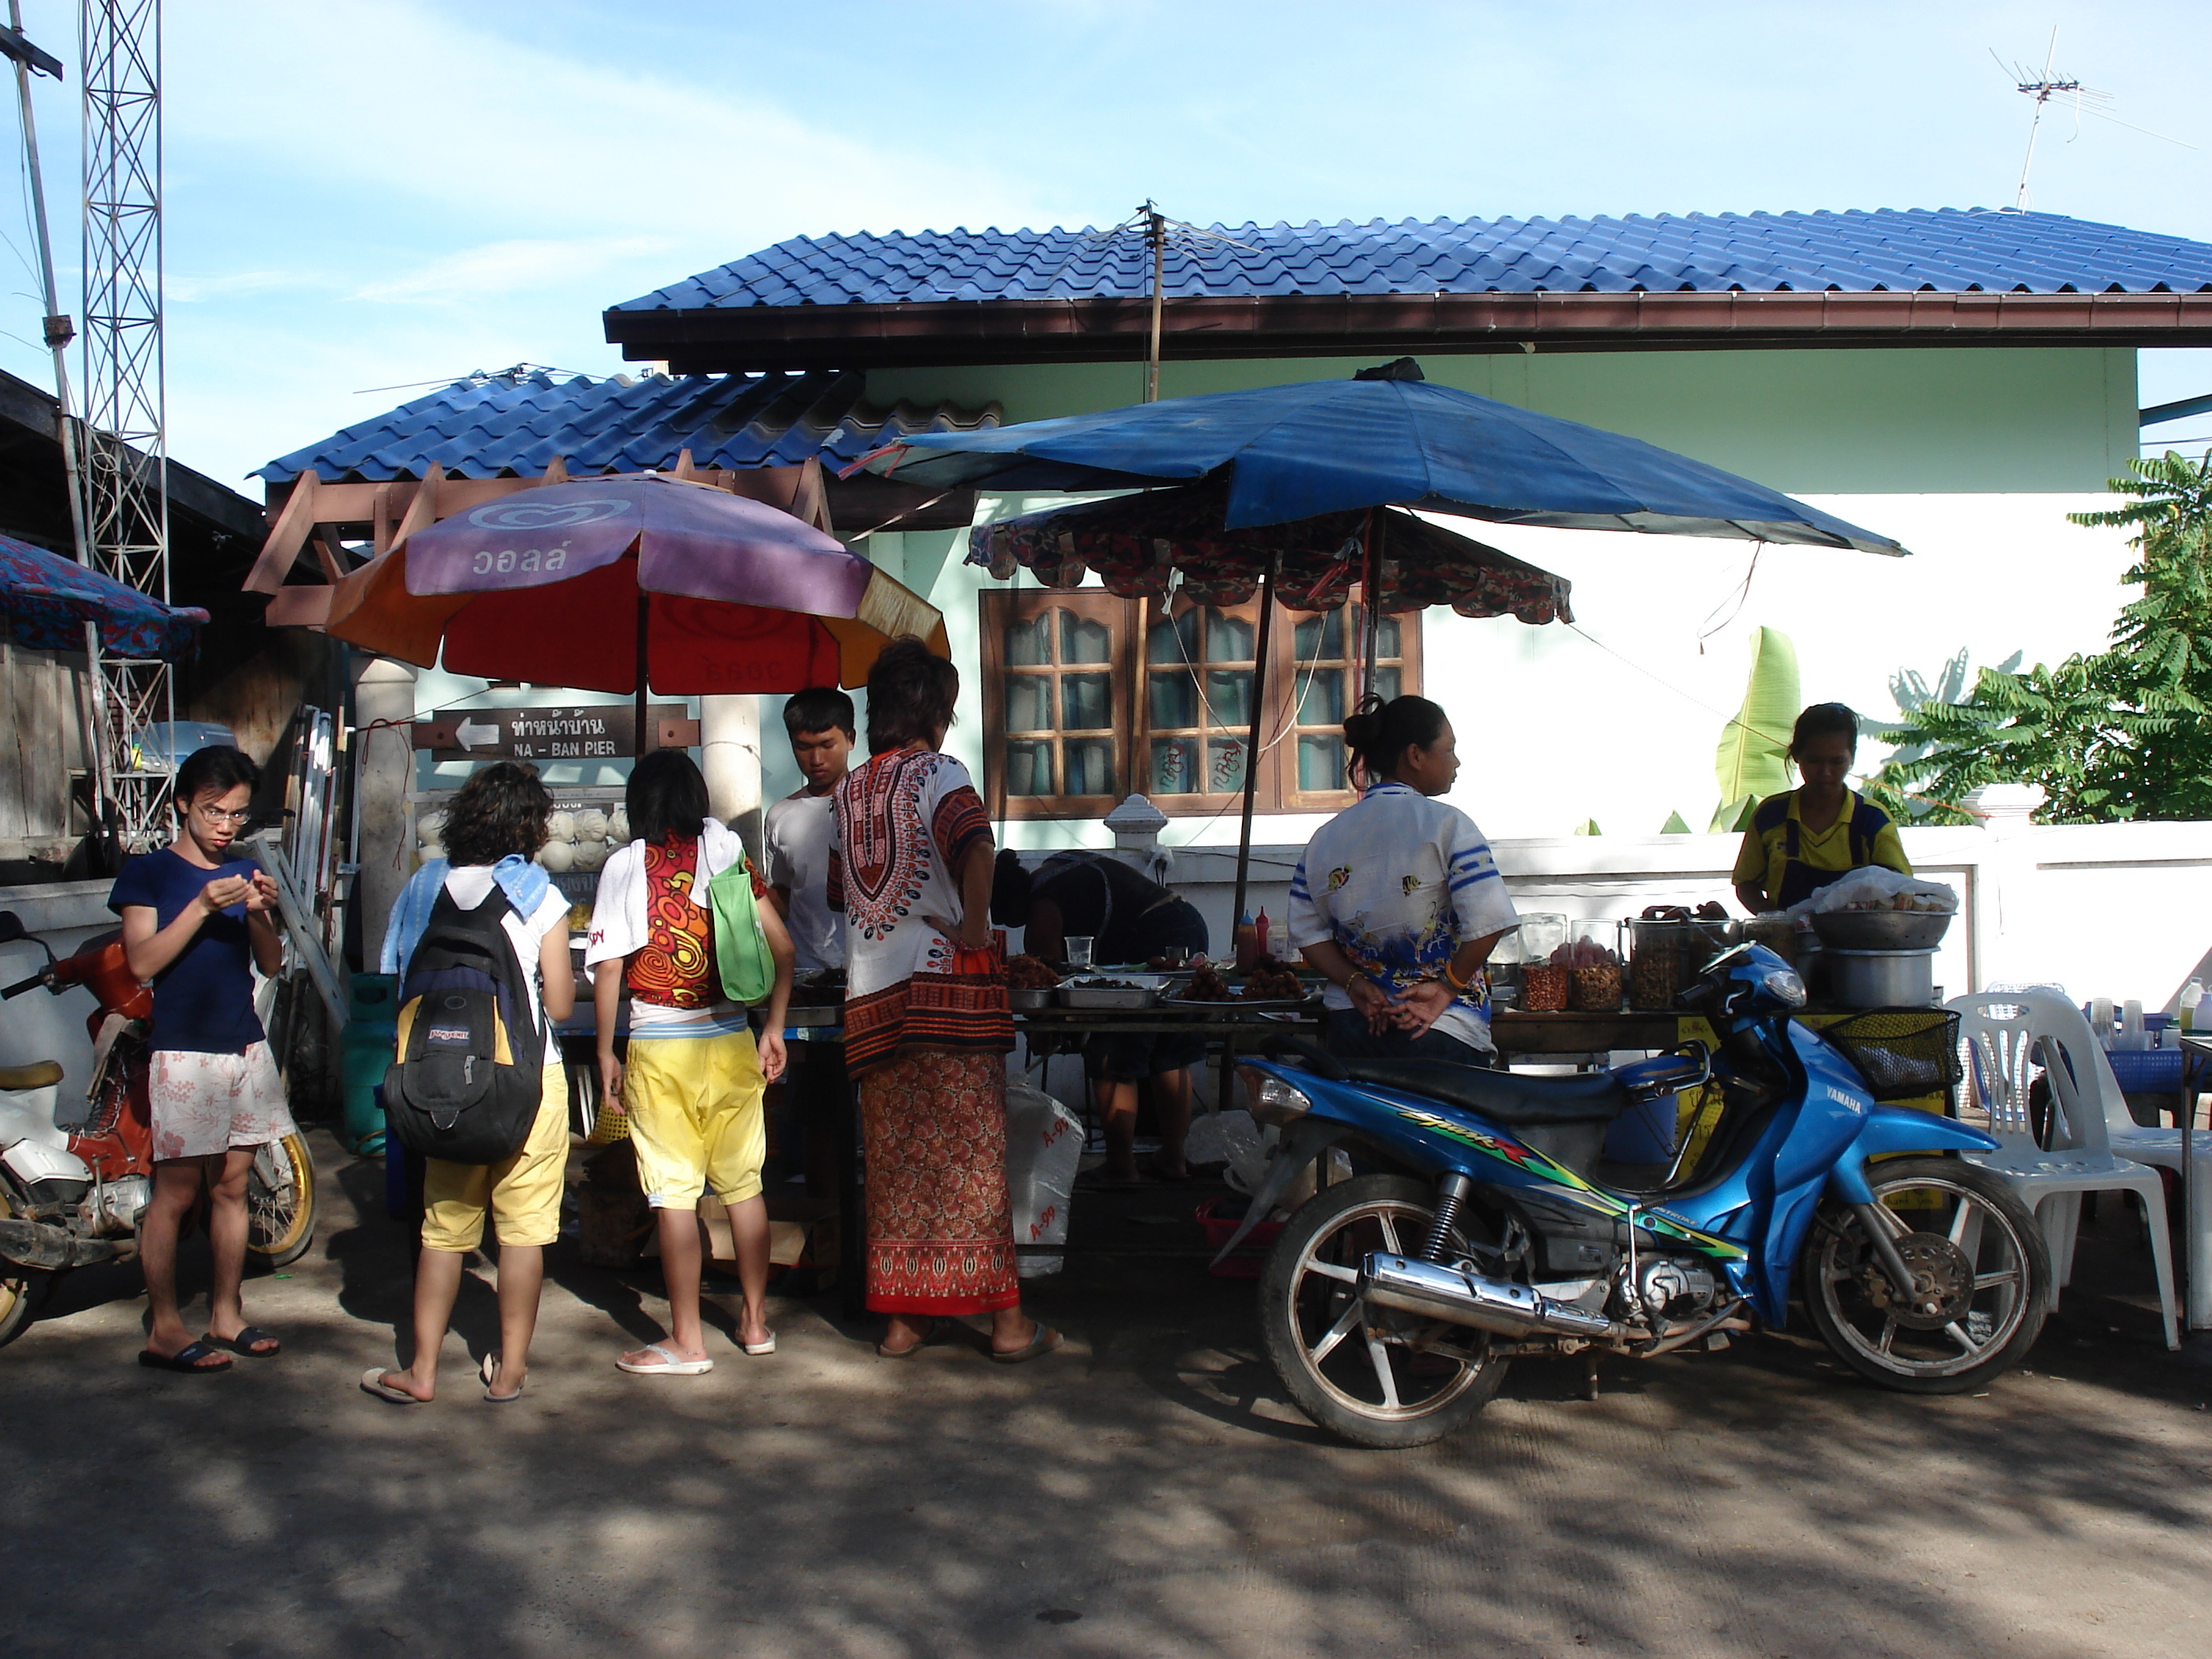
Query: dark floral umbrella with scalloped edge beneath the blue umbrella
x,y
1138,543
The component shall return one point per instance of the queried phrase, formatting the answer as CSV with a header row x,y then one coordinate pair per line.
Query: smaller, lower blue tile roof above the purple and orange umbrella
x,y
519,424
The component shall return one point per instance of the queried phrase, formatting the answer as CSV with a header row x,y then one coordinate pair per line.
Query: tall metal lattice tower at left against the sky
x,y
125,401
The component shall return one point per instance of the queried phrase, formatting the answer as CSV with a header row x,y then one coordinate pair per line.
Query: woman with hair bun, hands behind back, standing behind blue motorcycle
x,y
1399,901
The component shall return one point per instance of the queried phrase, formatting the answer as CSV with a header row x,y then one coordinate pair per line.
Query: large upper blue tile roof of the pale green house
x,y
1881,251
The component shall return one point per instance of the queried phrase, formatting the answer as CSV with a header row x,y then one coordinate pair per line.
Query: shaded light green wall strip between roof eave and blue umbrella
x,y
1813,421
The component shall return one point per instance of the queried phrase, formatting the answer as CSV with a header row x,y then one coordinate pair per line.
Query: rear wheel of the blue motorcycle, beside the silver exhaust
x,y
1375,1377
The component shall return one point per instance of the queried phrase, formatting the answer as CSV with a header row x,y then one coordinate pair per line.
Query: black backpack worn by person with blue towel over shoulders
x,y
468,1076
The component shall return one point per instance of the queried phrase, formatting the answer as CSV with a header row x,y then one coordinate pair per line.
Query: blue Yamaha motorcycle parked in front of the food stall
x,y
1485,1224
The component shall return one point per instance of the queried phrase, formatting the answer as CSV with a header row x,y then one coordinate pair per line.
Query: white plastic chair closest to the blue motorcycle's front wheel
x,y
2010,1036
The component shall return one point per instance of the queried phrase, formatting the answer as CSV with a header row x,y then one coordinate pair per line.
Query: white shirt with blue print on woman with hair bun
x,y
1401,884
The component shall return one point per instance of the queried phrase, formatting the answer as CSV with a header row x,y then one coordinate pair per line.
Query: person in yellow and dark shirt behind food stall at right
x,y
1822,831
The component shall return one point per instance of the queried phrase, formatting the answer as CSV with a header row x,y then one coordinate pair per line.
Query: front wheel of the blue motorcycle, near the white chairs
x,y
1976,1255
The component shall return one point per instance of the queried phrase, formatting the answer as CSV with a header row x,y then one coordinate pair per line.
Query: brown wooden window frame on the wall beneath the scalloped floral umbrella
x,y
1129,623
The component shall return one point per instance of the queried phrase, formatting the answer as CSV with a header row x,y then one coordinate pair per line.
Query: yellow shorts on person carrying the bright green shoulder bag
x,y
696,1118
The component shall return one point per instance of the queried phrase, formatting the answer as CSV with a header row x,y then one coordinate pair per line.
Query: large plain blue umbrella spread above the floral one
x,y
1384,439
